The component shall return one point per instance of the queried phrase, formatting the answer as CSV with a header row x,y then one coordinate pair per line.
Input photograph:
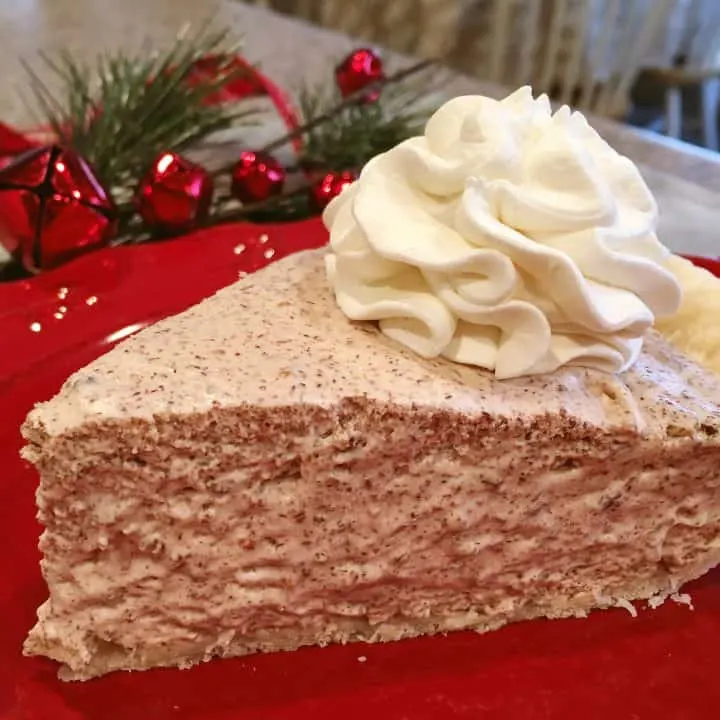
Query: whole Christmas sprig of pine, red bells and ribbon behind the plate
x,y
130,113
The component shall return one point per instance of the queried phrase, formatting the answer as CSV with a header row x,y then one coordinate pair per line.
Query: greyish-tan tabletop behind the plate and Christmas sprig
x,y
685,179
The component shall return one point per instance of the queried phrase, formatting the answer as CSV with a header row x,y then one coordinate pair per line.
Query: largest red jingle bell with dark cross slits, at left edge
x,y
53,208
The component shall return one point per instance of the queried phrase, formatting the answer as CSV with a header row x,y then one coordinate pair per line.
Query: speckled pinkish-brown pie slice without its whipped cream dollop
x,y
173,537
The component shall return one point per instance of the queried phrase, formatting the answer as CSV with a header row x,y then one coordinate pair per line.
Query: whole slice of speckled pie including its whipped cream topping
x,y
458,416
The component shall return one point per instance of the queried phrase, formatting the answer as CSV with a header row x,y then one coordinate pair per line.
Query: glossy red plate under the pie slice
x,y
661,665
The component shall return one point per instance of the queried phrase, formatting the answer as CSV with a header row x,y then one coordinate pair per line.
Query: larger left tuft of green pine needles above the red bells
x,y
121,113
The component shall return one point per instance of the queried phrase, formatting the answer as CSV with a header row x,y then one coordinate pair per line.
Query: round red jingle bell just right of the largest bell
x,y
174,196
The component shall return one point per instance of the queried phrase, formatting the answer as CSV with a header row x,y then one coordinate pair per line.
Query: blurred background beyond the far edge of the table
x,y
652,63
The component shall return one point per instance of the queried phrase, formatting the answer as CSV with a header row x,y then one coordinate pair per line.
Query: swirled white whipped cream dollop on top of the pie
x,y
505,237
